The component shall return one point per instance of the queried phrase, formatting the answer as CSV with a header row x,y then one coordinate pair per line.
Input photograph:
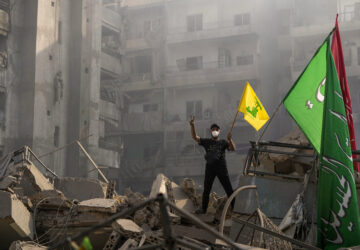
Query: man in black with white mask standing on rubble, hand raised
x,y
215,161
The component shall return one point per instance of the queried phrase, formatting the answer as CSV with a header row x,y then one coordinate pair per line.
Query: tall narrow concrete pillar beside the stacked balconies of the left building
x,y
90,80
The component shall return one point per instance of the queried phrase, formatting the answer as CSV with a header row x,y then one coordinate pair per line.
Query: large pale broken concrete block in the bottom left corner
x,y
16,222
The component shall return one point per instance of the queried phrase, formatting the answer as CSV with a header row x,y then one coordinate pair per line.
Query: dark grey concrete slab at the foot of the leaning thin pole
x,y
81,188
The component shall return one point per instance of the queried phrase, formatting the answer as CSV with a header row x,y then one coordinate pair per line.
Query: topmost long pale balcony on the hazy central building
x,y
210,31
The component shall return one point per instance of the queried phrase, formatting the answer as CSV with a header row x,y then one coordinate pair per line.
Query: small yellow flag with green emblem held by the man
x,y
254,112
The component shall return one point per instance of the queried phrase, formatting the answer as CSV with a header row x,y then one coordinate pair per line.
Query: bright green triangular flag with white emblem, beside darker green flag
x,y
305,100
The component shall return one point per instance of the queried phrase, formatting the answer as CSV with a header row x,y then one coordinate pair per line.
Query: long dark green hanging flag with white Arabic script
x,y
338,212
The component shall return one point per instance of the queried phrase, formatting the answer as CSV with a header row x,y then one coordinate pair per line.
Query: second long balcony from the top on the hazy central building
x,y
210,73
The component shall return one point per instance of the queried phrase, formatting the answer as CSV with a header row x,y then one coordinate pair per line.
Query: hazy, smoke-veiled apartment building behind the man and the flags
x,y
190,57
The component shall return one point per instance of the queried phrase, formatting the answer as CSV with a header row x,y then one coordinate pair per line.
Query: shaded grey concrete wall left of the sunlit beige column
x,y
20,75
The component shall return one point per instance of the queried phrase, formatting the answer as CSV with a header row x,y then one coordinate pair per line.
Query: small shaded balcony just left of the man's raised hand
x,y
142,122
